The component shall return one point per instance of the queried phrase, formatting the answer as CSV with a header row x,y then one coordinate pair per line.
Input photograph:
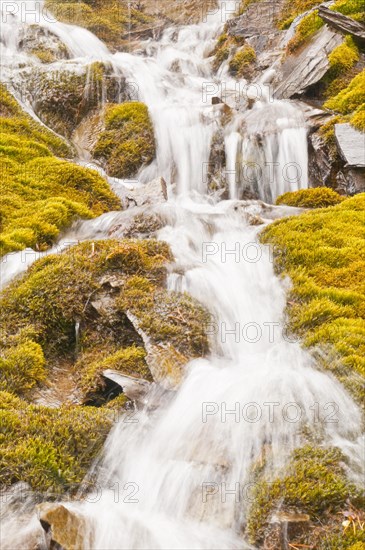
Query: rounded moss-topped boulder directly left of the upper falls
x,y
128,142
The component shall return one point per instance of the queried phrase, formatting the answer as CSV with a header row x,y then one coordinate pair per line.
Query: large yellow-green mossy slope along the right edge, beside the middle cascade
x,y
323,253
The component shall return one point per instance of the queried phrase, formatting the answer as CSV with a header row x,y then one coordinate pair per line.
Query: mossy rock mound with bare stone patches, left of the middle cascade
x,y
96,285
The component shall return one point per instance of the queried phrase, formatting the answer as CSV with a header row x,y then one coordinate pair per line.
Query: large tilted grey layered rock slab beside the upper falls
x,y
300,71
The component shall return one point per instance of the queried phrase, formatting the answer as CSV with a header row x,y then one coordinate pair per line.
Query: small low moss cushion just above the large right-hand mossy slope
x,y
318,197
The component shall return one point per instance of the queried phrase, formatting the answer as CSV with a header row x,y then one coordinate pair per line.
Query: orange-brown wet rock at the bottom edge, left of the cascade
x,y
65,529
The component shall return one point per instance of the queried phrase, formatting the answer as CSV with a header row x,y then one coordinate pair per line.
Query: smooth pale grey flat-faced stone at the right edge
x,y
351,144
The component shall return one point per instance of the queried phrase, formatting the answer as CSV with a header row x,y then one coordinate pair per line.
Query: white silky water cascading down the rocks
x,y
180,476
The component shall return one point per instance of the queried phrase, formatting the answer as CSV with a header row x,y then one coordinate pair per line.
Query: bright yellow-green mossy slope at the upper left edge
x,y
41,195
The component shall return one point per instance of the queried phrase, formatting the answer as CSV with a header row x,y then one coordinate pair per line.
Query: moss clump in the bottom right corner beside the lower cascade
x,y
314,482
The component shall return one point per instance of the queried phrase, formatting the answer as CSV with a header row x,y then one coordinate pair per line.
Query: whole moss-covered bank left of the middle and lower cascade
x,y
96,286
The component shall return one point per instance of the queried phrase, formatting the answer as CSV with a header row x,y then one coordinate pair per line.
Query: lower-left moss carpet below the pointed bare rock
x,y
51,449
